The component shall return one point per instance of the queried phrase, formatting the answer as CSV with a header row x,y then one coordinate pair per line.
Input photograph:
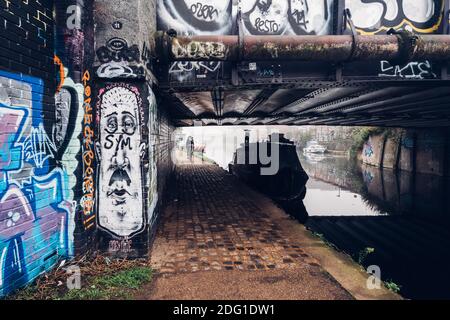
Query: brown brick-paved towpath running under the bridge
x,y
218,239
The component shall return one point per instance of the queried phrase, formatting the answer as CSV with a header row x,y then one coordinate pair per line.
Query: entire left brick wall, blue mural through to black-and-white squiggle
x,y
41,123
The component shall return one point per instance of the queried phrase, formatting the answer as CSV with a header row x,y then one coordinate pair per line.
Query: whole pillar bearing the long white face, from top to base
x,y
127,124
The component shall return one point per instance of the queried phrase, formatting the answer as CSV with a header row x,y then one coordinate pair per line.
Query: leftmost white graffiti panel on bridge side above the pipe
x,y
195,17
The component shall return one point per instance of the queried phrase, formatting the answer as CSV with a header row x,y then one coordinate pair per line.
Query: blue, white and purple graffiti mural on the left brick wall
x,y
36,211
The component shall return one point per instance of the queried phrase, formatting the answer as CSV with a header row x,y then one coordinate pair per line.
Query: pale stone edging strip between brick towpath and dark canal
x,y
351,276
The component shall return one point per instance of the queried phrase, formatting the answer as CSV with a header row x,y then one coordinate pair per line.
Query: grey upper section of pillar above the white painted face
x,y
124,38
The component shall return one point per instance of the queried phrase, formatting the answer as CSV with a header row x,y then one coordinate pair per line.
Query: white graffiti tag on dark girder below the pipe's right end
x,y
412,70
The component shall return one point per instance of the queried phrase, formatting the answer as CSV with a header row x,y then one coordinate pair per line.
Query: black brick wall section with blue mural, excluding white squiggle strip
x,y
36,201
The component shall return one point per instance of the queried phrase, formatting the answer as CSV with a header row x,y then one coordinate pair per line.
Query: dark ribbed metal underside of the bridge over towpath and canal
x,y
422,104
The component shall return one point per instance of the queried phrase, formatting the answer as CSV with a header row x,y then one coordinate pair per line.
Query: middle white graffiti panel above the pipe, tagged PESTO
x,y
288,17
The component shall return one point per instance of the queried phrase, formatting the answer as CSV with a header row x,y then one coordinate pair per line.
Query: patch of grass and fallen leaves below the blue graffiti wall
x,y
101,279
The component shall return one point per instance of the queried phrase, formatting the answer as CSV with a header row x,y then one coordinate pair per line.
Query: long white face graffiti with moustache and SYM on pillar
x,y
120,149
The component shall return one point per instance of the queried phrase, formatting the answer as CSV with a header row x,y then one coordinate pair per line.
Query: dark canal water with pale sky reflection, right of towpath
x,y
404,217
